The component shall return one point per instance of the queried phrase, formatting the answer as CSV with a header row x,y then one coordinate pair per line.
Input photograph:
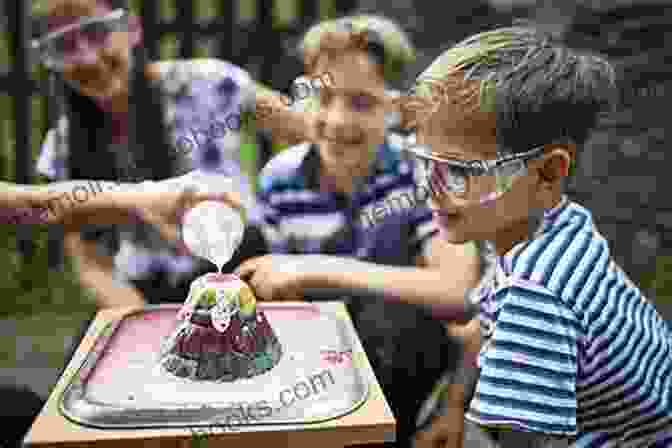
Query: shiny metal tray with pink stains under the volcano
x,y
121,385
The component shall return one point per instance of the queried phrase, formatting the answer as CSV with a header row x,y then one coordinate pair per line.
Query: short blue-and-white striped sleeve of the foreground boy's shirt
x,y
529,365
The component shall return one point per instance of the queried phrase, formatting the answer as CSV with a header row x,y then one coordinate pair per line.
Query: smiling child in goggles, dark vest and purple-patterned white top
x,y
132,118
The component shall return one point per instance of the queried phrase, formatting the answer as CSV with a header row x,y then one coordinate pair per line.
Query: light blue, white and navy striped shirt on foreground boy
x,y
572,346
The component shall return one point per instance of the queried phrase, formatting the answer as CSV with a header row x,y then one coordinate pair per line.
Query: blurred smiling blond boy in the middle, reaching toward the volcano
x,y
327,198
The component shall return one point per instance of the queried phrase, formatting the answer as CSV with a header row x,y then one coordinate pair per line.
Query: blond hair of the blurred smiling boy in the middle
x,y
379,36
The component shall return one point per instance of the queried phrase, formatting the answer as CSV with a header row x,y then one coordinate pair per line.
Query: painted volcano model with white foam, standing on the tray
x,y
220,335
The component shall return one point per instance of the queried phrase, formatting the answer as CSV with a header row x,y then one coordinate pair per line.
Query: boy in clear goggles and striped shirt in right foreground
x,y
573,353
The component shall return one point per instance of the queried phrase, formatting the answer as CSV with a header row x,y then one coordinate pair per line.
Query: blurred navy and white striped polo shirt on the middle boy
x,y
300,216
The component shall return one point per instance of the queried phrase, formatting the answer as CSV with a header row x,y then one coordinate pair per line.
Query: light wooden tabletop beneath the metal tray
x,y
371,423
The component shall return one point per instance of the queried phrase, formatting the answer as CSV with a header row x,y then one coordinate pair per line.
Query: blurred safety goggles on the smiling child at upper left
x,y
78,41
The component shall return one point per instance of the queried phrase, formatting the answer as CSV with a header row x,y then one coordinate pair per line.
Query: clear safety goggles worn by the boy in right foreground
x,y
472,181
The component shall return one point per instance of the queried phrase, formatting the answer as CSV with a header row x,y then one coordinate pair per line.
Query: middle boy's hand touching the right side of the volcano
x,y
277,277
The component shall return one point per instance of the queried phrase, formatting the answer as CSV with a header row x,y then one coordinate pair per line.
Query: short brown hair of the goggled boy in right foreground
x,y
537,90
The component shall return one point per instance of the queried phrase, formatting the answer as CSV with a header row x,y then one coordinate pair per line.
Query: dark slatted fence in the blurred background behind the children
x,y
259,44
